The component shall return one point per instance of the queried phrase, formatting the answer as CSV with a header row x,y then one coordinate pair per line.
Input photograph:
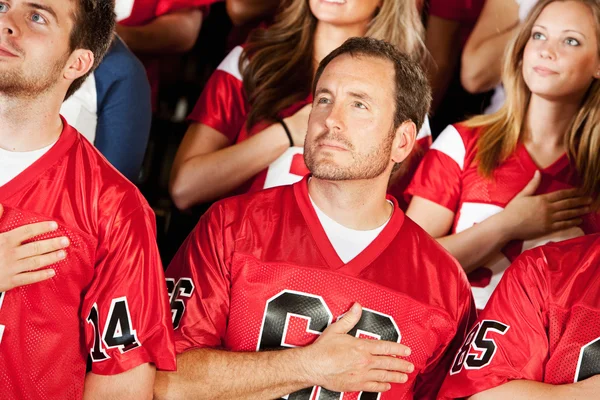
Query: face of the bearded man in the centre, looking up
x,y
350,129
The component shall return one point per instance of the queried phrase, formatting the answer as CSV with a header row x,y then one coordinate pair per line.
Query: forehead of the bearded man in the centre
x,y
367,73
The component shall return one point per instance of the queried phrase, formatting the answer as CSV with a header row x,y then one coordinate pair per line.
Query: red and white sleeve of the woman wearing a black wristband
x,y
222,104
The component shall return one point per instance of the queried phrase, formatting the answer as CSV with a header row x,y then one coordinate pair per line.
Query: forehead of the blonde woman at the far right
x,y
568,15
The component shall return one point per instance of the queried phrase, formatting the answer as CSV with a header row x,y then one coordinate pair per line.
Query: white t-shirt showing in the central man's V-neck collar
x,y
348,243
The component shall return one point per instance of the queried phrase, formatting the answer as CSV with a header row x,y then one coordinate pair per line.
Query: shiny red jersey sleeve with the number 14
x,y
126,308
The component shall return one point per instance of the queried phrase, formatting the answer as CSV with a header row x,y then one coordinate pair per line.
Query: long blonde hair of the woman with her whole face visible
x,y
502,131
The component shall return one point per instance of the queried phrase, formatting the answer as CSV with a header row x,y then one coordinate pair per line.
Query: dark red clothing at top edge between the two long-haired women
x,y
464,11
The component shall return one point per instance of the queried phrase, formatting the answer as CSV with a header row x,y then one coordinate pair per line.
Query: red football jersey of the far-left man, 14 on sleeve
x,y
107,300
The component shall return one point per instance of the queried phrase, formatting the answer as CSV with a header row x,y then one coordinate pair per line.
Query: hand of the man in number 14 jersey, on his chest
x,y
20,264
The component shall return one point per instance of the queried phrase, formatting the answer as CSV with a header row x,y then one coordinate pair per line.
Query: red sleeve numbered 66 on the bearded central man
x,y
199,274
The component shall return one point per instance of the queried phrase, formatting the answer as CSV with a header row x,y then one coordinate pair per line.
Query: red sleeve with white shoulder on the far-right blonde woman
x,y
439,176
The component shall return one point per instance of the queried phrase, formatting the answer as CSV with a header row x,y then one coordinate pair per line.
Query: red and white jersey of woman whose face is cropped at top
x,y
223,107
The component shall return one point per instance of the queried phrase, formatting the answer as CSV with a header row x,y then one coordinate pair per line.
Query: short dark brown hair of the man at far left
x,y
93,29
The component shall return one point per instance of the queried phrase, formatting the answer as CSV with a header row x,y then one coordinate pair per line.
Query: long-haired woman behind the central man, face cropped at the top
x,y
248,127
